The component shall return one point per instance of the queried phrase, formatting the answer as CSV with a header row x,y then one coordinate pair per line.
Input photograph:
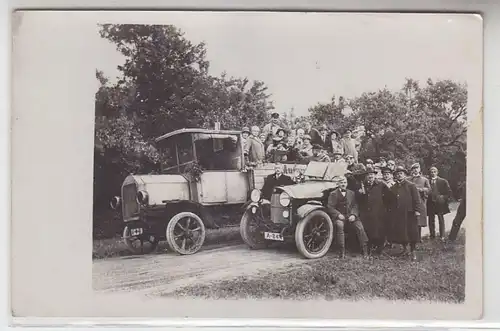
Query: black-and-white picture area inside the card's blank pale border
x,y
287,156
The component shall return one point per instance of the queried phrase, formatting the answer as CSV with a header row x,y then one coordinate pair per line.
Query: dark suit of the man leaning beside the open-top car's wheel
x,y
338,204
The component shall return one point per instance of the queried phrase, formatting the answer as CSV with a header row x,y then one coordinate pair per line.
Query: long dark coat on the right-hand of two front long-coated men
x,y
405,201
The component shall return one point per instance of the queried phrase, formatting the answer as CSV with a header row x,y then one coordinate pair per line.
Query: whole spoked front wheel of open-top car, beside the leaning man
x,y
314,234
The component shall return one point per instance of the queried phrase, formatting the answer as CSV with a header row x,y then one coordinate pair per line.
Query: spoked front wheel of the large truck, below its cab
x,y
185,233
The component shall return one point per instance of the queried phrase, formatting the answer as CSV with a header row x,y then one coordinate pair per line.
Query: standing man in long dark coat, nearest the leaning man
x,y
373,200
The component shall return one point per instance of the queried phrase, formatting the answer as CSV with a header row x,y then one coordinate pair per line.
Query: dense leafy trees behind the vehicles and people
x,y
164,85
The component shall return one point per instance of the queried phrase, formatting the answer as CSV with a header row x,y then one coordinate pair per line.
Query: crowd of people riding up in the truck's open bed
x,y
274,143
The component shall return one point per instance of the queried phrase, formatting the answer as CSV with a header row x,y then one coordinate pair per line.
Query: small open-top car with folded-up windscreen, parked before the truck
x,y
295,212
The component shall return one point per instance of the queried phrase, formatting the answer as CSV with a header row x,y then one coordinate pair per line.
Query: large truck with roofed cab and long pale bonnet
x,y
203,177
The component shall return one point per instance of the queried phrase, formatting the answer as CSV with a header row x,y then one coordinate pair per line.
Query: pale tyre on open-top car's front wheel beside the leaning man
x,y
304,229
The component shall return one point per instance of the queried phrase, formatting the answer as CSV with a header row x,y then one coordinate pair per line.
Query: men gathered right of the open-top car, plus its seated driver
x,y
385,205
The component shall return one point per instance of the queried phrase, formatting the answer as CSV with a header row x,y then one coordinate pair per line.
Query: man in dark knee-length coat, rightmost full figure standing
x,y
437,204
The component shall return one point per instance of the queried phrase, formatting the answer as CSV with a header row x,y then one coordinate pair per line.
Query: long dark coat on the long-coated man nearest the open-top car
x,y
373,206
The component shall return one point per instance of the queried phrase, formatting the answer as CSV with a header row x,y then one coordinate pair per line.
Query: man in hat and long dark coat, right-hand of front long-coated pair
x,y
405,209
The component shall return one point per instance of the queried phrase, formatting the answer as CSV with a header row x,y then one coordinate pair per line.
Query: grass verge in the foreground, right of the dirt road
x,y
439,275
